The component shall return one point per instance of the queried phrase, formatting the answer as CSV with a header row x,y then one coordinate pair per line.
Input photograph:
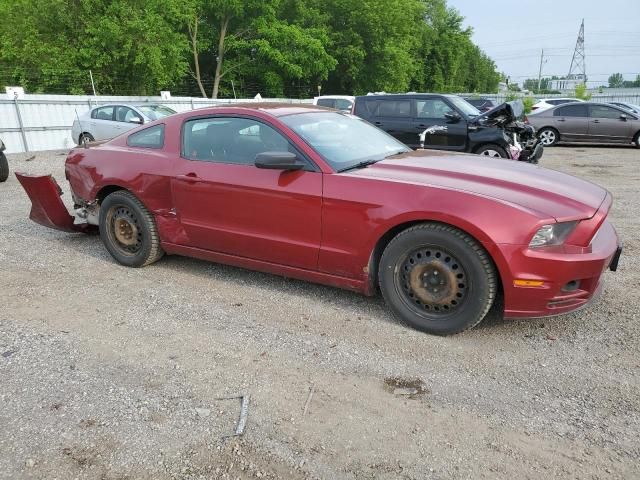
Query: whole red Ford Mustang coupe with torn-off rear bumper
x,y
323,196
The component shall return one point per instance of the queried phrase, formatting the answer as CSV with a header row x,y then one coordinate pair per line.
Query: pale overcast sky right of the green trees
x,y
513,32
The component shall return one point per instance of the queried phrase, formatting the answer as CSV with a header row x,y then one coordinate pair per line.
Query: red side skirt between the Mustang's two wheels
x,y
352,284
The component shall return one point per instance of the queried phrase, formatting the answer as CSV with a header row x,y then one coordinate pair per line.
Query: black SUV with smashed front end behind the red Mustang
x,y
448,122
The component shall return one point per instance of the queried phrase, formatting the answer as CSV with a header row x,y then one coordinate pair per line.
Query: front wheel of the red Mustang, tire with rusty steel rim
x,y
437,279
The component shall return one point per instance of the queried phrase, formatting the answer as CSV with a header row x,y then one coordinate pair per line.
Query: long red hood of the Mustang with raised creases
x,y
544,192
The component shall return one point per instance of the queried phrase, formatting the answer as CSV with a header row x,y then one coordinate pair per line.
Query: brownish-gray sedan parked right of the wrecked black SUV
x,y
586,122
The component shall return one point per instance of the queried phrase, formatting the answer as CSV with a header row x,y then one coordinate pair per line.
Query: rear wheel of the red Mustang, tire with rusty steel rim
x,y
128,230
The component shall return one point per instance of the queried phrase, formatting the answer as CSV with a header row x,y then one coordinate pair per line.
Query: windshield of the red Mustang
x,y
343,140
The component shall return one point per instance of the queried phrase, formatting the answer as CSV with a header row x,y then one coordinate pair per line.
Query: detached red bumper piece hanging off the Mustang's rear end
x,y
47,207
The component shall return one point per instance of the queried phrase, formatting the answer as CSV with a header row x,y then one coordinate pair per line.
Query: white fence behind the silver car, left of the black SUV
x,y
43,122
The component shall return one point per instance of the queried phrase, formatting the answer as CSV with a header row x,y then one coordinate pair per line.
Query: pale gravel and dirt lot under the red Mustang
x,y
114,373
